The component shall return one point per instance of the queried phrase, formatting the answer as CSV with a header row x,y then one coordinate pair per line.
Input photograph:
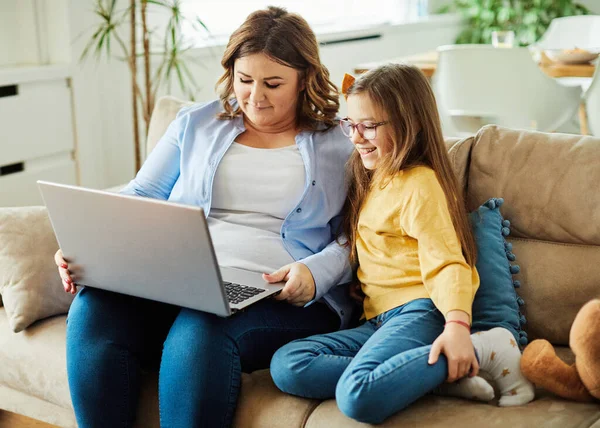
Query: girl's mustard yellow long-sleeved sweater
x,y
408,248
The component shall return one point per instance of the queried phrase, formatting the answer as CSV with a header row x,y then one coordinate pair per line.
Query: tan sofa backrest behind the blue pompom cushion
x,y
549,183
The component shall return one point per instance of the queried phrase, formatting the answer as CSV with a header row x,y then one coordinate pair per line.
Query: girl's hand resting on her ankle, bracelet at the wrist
x,y
455,343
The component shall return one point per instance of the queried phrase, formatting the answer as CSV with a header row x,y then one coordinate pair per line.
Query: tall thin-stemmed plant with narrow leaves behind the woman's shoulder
x,y
163,52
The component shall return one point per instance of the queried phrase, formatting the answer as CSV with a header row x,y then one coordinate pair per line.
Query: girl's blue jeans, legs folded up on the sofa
x,y
373,370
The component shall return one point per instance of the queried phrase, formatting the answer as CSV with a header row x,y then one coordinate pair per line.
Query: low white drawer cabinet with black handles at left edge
x,y
37,137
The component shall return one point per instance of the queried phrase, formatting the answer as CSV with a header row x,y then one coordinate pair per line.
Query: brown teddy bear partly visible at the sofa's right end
x,y
579,381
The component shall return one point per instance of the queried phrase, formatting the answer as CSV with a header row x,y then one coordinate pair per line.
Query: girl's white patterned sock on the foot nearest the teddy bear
x,y
500,357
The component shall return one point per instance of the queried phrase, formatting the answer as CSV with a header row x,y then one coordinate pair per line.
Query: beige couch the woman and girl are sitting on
x,y
549,184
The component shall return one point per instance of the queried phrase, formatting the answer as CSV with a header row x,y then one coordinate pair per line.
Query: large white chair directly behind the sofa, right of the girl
x,y
476,85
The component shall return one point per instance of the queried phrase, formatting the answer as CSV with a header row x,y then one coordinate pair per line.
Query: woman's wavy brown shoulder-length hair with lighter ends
x,y
287,39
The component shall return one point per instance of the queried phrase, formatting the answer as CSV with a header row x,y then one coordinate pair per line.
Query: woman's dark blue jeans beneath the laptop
x,y
111,337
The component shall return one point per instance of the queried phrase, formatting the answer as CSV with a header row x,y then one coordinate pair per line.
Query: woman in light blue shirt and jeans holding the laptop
x,y
266,162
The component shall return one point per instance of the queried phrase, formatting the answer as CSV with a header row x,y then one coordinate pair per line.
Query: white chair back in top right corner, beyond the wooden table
x,y
581,31
